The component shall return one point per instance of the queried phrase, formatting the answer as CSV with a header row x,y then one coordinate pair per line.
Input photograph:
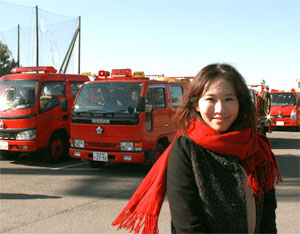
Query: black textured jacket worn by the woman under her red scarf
x,y
206,194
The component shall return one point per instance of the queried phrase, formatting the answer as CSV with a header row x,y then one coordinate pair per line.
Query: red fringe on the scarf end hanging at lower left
x,y
135,221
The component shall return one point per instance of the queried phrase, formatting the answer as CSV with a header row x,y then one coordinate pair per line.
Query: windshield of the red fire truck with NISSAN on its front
x,y
108,97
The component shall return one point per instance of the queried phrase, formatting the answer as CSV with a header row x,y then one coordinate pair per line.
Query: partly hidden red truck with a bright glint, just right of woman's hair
x,y
262,101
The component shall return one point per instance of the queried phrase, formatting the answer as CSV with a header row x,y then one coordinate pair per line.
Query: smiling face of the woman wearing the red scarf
x,y
219,105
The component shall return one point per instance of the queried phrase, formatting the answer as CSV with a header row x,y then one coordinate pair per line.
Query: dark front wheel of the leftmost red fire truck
x,y
57,147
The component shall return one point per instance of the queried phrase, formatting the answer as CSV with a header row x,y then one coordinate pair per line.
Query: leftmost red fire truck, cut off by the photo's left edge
x,y
35,110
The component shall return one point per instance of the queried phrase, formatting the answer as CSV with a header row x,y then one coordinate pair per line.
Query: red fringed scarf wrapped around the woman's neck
x,y
253,150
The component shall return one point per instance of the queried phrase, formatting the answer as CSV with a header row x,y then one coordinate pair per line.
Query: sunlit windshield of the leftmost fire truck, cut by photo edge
x,y
17,94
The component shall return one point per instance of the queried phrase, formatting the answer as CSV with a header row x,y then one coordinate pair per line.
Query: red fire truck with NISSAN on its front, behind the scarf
x,y
124,117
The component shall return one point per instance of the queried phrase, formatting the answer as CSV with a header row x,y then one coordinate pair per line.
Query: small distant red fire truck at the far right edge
x,y
285,107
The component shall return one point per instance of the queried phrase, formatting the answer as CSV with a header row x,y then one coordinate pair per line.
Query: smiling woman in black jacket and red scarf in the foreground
x,y
219,172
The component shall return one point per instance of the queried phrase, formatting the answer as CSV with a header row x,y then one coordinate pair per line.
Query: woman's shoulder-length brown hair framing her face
x,y
196,89
